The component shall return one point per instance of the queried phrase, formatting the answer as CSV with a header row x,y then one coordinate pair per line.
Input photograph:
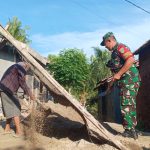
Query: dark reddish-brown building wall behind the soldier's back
x,y
143,98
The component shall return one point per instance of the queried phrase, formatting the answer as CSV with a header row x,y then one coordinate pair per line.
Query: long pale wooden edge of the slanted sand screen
x,y
95,128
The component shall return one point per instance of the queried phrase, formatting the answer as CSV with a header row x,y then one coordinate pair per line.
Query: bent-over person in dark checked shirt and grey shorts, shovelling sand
x,y
13,78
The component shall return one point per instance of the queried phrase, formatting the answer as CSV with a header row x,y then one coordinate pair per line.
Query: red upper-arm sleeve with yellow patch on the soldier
x,y
124,52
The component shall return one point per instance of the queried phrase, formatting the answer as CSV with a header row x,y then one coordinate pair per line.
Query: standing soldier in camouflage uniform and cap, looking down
x,y
127,76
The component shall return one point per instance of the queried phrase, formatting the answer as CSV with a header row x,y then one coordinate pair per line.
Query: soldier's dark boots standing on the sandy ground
x,y
130,133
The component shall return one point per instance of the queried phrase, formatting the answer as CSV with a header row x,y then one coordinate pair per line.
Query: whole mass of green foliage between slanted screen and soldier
x,y
73,71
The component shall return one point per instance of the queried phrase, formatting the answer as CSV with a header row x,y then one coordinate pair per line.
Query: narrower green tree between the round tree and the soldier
x,y
98,71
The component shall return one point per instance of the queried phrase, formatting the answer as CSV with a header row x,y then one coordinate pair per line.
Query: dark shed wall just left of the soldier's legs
x,y
109,105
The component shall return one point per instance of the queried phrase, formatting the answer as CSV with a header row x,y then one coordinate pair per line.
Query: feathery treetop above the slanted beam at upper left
x,y
16,30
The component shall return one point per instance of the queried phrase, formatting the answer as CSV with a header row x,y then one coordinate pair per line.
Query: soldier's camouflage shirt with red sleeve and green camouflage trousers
x,y
129,84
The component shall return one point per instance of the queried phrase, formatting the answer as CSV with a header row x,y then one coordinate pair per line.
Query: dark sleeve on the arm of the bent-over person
x,y
23,84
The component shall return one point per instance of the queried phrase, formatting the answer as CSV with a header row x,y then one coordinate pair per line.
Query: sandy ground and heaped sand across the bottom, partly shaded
x,y
61,128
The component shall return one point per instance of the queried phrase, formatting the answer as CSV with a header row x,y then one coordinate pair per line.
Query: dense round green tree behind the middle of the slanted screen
x,y
71,69
